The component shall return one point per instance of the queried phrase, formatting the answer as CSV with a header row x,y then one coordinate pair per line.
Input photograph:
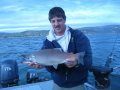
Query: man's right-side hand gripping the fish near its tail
x,y
71,60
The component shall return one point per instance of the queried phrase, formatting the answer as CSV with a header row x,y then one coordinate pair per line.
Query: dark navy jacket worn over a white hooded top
x,y
77,75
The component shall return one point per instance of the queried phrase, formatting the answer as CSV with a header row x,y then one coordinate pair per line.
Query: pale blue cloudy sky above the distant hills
x,y
22,15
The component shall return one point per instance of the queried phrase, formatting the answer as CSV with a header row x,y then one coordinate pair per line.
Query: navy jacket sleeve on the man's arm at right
x,y
83,45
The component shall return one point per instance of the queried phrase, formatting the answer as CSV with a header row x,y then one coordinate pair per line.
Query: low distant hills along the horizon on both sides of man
x,y
88,30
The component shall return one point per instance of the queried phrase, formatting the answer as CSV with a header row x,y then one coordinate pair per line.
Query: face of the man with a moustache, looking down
x,y
58,24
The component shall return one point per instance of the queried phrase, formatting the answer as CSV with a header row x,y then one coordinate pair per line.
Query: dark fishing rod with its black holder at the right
x,y
102,73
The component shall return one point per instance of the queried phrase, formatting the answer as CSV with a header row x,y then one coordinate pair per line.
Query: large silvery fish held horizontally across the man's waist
x,y
49,57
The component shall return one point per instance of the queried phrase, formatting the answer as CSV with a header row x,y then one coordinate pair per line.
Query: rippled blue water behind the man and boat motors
x,y
102,44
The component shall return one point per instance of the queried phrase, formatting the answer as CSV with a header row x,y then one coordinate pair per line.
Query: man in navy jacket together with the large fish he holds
x,y
70,48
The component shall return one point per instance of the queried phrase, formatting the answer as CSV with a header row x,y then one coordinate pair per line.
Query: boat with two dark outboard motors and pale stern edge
x,y
9,79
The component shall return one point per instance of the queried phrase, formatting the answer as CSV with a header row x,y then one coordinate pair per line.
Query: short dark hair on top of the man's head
x,y
58,12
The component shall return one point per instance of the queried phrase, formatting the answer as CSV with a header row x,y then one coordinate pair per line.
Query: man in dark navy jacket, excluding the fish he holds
x,y
73,74
